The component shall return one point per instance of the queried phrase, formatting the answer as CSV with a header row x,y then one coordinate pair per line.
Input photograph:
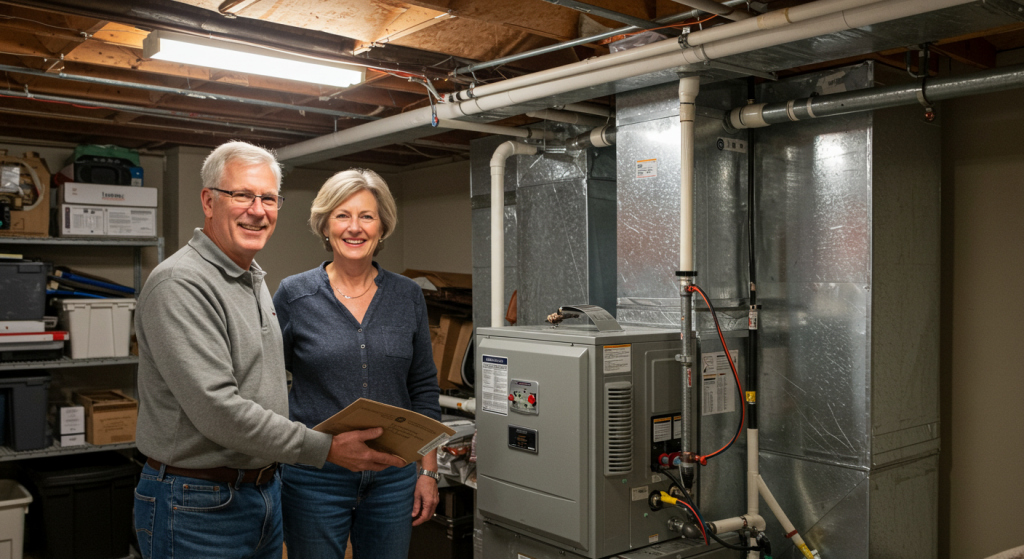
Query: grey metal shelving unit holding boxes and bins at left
x,y
65,363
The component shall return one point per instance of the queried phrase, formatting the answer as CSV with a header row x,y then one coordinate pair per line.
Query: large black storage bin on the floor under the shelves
x,y
82,506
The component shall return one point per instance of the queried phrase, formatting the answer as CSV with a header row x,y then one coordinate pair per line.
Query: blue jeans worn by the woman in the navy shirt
x,y
323,507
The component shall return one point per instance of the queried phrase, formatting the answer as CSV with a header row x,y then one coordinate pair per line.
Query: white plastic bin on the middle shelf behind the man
x,y
99,328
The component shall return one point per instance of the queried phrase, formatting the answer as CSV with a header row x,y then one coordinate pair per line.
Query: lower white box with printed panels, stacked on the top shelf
x,y
107,222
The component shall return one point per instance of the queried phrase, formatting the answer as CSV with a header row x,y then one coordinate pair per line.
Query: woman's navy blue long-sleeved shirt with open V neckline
x,y
335,361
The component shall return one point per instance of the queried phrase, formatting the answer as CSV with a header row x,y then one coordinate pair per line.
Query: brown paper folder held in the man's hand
x,y
407,435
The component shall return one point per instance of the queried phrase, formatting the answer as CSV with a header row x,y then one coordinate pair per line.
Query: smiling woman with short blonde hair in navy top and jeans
x,y
354,330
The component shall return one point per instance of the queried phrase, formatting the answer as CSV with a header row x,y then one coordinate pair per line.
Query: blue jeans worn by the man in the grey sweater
x,y
180,518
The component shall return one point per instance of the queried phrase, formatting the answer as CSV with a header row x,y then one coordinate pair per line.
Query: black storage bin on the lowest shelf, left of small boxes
x,y
26,395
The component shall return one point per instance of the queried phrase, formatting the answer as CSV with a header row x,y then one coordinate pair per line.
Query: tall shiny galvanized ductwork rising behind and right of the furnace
x,y
848,253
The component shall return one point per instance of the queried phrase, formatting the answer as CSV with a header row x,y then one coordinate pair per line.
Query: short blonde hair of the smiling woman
x,y
343,186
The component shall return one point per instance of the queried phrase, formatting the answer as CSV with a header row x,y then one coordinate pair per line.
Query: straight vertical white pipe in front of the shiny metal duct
x,y
689,90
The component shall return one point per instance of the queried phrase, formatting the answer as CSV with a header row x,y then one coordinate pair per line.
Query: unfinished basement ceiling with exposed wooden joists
x,y
74,72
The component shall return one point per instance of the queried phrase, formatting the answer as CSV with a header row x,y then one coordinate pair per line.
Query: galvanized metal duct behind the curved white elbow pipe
x,y
560,243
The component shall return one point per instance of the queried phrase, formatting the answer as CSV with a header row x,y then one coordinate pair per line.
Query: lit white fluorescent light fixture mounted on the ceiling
x,y
177,48
